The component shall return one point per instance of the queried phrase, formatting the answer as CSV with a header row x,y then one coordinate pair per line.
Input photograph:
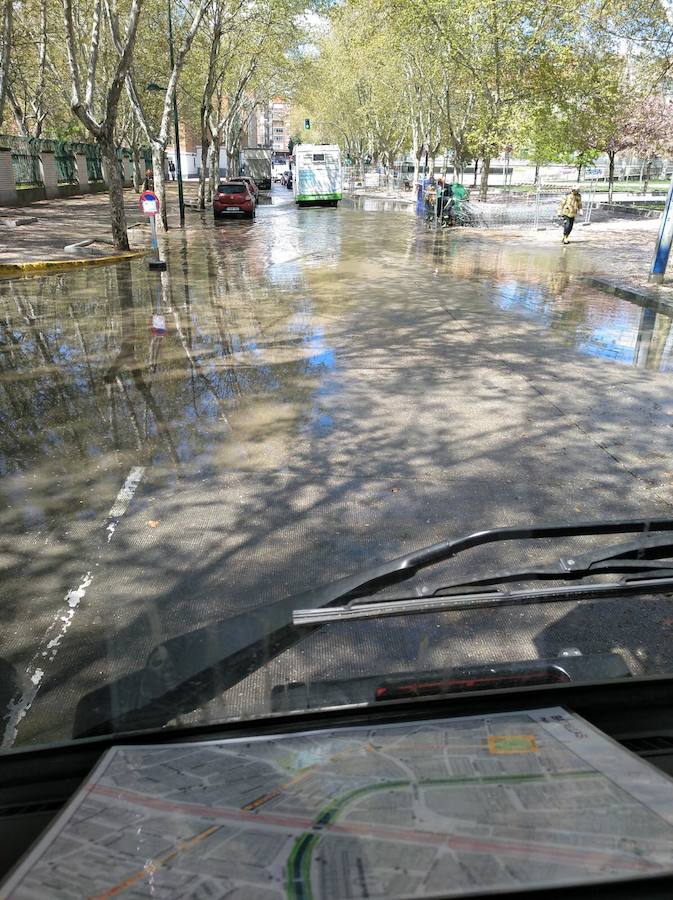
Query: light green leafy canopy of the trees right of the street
x,y
473,76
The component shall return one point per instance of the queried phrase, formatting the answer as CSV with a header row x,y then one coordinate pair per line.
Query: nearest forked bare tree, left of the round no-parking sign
x,y
86,99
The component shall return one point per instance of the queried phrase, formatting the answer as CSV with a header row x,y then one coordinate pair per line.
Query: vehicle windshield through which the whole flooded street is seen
x,y
446,320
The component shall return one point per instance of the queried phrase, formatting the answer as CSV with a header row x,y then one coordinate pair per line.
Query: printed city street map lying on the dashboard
x,y
446,807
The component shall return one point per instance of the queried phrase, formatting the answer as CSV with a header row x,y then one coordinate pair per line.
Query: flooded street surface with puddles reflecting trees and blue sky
x,y
295,399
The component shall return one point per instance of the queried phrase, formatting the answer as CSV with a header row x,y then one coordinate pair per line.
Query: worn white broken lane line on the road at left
x,y
50,643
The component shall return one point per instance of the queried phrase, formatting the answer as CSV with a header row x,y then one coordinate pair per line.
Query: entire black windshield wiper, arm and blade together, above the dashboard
x,y
187,671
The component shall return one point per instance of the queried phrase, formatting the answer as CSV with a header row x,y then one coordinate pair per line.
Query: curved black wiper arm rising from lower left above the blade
x,y
187,671
